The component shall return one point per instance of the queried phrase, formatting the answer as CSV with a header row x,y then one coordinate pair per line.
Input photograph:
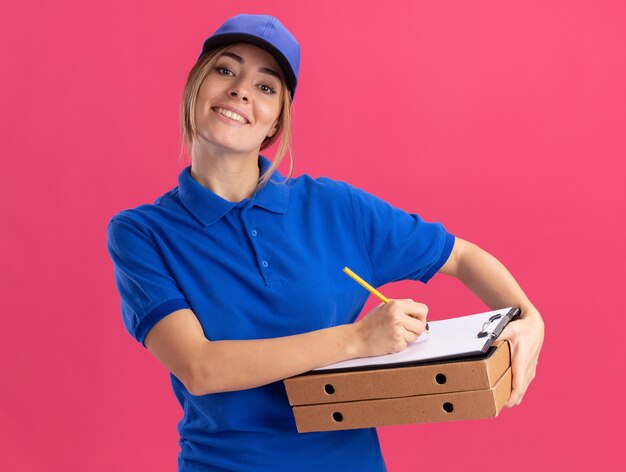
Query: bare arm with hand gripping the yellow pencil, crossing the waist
x,y
204,366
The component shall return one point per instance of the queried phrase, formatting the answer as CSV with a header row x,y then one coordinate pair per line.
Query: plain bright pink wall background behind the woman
x,y
503,120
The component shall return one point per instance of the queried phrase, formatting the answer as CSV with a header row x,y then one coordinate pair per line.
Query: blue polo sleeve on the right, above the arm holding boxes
x,y
400,245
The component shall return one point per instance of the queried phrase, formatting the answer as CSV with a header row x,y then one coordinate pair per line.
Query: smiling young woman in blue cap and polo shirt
x,y
233,279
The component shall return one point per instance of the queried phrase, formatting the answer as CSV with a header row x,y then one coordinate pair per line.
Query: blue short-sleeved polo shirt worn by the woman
x,y
264,267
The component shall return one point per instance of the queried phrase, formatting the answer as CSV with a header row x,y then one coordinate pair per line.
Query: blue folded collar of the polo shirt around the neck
x,y
208,207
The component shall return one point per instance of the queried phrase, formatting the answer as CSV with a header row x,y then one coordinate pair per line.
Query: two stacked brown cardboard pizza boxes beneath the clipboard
x,y
458,389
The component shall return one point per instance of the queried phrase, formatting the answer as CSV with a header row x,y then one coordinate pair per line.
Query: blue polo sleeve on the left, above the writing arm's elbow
x,y
147,290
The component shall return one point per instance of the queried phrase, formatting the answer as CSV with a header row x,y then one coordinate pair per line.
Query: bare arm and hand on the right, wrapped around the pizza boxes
x,y
490,281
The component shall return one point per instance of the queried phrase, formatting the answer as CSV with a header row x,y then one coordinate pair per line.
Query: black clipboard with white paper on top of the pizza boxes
x,y
460,338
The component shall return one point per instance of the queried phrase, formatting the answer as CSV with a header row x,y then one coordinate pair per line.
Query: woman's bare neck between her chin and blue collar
x,y
232,177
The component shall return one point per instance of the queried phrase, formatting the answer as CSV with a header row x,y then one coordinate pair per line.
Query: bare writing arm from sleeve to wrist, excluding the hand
x,y
204,366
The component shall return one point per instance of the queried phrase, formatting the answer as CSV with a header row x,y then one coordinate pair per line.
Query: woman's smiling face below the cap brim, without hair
x,y
239,102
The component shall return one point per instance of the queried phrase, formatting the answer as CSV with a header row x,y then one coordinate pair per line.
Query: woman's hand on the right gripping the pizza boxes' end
x,y
525,337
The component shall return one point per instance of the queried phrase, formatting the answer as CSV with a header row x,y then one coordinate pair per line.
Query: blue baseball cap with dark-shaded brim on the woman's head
x,y
266,32
